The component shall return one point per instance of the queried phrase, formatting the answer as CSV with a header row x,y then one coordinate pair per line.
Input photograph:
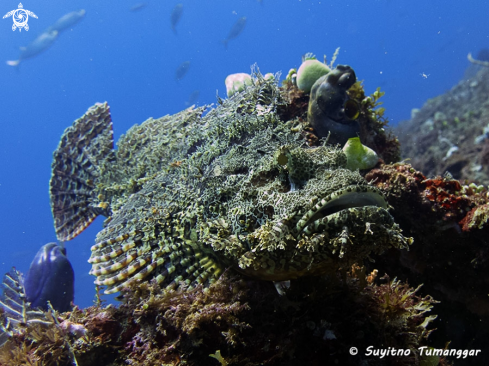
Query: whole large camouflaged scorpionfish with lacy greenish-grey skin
x,y
189,195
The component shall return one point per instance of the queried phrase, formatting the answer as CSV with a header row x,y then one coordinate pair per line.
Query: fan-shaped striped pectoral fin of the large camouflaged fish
x,y
144,240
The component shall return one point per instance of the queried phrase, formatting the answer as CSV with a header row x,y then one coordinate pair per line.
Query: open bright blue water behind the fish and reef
x,y
129,59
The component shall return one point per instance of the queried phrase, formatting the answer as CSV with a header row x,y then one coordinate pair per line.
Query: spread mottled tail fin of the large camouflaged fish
x,y
76,170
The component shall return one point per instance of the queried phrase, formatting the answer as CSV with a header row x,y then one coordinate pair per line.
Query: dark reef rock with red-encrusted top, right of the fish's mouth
x,y
450,254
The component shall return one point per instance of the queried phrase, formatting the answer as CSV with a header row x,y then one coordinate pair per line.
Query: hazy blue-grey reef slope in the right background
x,y
449,133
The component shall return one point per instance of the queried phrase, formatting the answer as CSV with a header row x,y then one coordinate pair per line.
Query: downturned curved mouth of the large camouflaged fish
x,y
343,199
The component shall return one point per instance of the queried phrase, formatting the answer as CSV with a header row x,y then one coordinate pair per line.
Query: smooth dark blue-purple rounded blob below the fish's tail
x,y
50,278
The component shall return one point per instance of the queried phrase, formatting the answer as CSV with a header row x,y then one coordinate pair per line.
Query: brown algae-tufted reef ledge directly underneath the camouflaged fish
x,y
237,321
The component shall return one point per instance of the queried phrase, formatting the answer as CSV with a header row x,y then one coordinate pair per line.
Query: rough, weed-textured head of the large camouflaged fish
x,y
279,212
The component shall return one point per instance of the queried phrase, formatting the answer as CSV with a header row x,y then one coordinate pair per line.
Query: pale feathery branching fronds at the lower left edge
x,y
17,311
